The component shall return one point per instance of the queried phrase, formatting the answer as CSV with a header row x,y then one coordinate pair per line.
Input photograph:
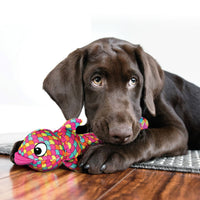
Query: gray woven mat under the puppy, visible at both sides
x,y
188,163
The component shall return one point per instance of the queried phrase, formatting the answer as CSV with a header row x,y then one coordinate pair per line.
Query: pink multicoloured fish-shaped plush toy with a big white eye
x,y
44,150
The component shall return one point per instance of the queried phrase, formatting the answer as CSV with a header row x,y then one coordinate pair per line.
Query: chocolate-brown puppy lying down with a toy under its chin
x,y
118,82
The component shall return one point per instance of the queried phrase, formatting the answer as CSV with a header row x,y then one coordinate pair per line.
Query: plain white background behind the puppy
x,y
36,35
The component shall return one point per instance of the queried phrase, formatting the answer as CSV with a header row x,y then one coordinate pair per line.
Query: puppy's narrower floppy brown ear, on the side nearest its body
x,y
153,78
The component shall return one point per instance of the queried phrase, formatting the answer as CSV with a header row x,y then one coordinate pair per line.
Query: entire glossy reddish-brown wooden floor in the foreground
x,y
23,183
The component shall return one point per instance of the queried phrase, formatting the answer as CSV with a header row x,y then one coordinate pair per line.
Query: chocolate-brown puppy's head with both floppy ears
x,y
114,80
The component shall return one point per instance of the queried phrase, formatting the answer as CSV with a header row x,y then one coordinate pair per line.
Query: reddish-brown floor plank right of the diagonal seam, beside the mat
x,y
152,184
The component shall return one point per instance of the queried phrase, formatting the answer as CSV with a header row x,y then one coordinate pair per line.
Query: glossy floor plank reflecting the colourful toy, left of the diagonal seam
x,y
24,183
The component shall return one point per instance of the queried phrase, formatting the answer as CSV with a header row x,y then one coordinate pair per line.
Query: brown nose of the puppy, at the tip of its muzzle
x,y
120,134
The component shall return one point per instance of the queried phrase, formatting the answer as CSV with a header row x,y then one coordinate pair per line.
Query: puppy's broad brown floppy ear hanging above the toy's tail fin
x,y
64,84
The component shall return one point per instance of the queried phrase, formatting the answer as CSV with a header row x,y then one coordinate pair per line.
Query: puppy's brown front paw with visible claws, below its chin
x,y
104,158
